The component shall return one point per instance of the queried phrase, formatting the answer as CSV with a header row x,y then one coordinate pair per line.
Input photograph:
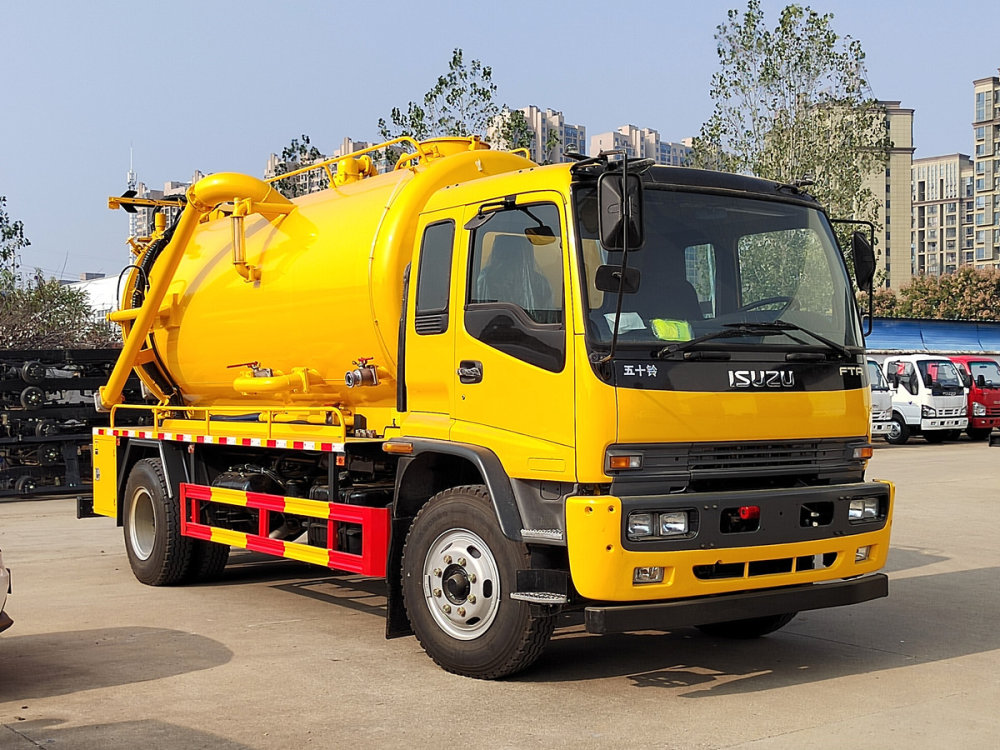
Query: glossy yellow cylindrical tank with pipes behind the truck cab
x,y
277,310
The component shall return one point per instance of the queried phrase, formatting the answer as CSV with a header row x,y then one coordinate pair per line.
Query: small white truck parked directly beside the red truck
x,y
928,398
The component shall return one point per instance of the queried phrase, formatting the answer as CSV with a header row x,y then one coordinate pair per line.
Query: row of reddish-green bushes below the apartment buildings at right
x,y
967,294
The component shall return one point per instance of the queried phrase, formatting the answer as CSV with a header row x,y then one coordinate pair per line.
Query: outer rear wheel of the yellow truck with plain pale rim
x,y
157,552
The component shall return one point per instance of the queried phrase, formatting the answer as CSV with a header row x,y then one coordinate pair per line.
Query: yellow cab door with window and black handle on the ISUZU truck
x,y
513,370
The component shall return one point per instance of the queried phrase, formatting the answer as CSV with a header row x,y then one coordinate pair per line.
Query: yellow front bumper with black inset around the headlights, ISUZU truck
x,y
787,549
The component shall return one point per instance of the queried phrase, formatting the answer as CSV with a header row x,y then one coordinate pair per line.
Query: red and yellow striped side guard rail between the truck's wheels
x,y
374,523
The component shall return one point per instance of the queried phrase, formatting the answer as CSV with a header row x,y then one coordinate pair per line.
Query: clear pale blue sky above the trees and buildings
x,y
216,86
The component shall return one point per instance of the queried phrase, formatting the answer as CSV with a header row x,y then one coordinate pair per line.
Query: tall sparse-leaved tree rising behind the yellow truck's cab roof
x,y
793,103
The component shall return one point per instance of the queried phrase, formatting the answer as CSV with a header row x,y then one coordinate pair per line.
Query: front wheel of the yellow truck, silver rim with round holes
x,y
458,572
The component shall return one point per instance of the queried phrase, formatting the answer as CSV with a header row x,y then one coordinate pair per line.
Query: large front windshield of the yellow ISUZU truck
x,y
711,263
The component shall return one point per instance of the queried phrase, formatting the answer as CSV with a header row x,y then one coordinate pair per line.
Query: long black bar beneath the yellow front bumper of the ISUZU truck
x,y
622,618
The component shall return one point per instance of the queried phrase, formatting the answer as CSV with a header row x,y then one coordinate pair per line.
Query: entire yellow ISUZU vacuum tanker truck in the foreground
x,y
631,393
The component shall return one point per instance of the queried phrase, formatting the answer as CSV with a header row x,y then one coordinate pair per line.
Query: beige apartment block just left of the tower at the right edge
x,y
942,220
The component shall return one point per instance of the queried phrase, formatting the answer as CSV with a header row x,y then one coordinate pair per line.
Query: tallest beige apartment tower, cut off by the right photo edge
x,y
986,173
